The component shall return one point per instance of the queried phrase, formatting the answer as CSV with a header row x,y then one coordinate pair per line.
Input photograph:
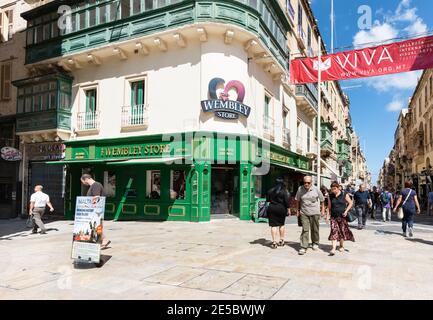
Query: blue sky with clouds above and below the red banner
x,y
375,102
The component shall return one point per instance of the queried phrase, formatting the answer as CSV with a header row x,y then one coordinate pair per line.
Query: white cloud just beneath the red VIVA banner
x,y
398,81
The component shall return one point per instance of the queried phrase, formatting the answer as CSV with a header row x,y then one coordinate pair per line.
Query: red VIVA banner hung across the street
x,y
409,55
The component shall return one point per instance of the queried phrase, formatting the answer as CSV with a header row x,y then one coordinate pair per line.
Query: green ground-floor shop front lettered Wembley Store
x,y
192,176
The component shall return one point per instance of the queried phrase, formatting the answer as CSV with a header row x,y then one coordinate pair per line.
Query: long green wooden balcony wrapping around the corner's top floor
x,y
103,22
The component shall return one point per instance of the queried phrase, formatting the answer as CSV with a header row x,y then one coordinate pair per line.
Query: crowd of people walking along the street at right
x,y
338,207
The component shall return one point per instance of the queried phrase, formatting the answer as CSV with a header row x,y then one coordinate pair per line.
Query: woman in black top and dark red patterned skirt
x,y
339,205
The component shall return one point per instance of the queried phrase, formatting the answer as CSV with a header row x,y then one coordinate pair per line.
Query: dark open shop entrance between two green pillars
x,y
225,190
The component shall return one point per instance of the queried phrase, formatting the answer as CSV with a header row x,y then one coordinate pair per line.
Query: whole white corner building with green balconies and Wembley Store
x,y
184,103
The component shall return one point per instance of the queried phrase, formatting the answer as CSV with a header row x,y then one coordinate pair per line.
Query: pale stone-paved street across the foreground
x,y
223,259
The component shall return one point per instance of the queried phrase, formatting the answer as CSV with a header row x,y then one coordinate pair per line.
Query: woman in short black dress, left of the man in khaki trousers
x,y
278,210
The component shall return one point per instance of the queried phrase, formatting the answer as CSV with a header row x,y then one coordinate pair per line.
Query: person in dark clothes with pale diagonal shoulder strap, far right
x,y
409,201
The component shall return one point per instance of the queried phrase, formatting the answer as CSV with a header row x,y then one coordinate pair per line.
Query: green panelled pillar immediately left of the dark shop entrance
x,y
200,192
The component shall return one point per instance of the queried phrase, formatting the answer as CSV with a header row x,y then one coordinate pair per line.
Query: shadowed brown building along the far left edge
x,y
12,57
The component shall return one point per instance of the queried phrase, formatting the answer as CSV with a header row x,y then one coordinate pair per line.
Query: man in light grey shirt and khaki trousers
x,y
310,206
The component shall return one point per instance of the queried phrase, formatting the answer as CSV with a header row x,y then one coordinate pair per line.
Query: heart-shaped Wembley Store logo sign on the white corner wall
x,y
219,102
